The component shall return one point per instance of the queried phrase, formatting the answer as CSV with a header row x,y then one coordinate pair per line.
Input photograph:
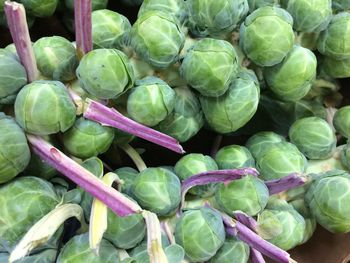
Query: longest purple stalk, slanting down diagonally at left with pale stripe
x,y
116,201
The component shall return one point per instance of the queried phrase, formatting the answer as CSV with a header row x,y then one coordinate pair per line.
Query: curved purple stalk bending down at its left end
x,y
218,176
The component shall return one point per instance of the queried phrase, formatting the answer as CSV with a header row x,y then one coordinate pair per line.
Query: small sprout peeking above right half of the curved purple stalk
x,y
233,157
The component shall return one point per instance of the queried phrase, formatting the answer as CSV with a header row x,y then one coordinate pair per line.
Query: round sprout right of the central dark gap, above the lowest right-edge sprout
x,y
314,137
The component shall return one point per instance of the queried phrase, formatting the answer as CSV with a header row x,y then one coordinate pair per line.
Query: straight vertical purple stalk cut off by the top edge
x,y
83,26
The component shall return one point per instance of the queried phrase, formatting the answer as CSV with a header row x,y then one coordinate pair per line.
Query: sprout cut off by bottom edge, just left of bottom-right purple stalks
x,y
233,250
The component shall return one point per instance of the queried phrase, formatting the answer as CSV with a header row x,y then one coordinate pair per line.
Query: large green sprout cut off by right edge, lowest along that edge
x,y
328,198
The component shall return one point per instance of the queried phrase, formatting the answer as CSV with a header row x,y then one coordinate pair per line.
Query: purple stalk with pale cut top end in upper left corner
x,y
17,23
